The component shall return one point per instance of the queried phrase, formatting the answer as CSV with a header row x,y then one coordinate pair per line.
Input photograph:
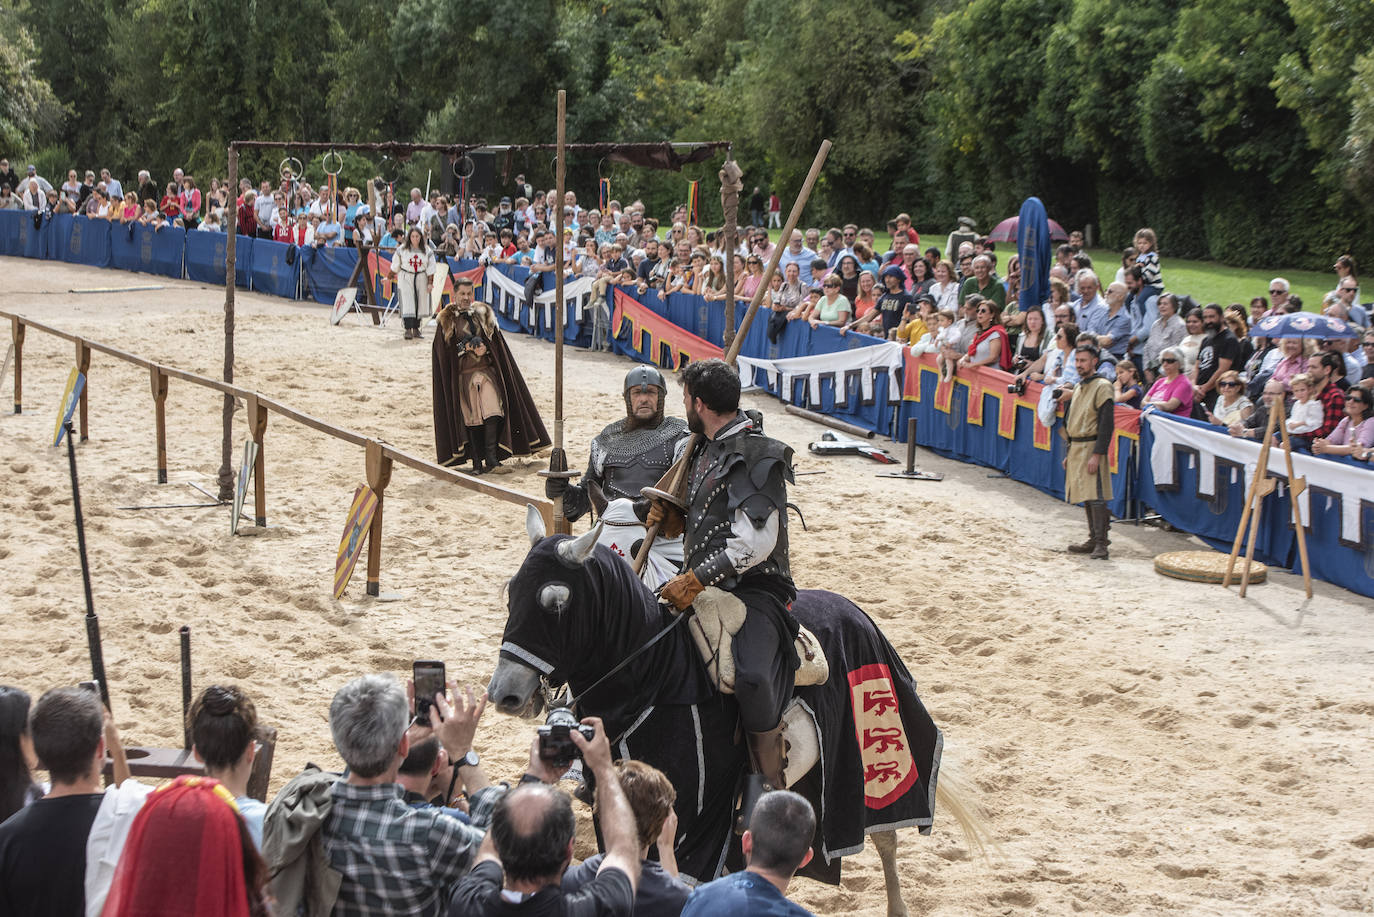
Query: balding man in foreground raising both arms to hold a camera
x,y
530,846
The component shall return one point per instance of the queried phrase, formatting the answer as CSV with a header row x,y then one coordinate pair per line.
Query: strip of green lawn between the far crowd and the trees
x,y
1204,281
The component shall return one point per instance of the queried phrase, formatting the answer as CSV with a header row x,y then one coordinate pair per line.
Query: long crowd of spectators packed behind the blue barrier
x,y
1196,361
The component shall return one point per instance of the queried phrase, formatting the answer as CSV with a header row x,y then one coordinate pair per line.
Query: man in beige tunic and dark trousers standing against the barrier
x,y
1089,426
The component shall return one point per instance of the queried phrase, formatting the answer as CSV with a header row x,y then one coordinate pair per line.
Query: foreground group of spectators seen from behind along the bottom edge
x,y
412,826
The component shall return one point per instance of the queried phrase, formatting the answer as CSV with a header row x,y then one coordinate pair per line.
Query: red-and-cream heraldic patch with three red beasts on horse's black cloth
x,y
888,768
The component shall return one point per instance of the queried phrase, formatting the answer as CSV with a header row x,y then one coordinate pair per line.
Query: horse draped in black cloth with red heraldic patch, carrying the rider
x,y
576,611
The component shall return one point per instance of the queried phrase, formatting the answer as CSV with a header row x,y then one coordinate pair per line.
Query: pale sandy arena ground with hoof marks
x,y
1140,744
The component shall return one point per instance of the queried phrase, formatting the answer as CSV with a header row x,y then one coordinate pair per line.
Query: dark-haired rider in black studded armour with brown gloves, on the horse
x,y
737,541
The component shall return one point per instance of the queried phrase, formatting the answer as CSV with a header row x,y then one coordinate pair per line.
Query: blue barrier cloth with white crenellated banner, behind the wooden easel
x,y
1215,520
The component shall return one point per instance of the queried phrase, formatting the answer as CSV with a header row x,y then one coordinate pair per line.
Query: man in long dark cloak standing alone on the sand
x,y
483,410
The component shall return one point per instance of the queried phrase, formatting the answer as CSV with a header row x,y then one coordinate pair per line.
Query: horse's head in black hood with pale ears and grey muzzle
x,y
554,603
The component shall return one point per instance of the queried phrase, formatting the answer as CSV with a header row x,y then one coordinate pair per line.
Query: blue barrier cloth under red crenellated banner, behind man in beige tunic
x,y
1019,458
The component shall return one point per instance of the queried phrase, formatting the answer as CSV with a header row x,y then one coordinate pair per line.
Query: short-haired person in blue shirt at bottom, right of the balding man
x,y
776,846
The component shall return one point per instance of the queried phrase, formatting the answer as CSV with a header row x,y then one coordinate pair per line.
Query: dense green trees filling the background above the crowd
x,y
1232,127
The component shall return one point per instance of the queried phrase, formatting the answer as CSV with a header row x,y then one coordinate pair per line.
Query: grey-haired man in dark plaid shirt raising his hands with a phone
x,y
395,860
